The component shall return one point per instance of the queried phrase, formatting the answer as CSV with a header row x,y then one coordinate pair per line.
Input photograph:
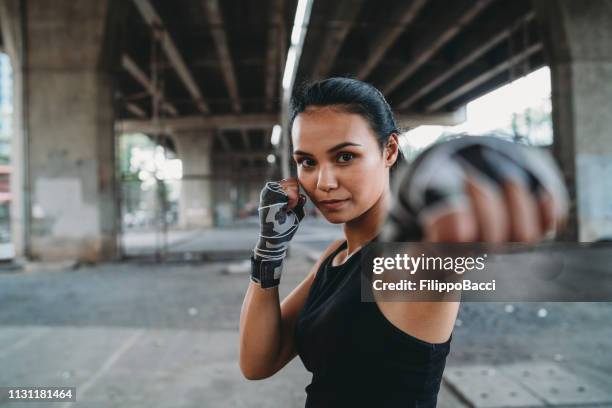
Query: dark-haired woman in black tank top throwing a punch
x,y
345,144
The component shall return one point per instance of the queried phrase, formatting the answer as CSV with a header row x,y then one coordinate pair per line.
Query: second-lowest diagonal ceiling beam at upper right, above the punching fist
x,y
474,50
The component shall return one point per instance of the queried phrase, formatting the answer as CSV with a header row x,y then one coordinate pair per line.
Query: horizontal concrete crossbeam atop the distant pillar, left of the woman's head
x,y
231,121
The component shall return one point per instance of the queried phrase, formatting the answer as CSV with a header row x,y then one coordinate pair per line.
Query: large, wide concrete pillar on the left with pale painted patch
x,y
65,158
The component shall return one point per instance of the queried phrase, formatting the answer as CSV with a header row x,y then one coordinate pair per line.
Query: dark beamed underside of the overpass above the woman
x,y
226,57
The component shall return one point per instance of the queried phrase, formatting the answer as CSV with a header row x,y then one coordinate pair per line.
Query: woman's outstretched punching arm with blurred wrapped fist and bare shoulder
x,y
494,191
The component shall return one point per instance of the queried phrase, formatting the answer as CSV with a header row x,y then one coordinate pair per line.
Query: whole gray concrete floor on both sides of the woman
x,y
146,335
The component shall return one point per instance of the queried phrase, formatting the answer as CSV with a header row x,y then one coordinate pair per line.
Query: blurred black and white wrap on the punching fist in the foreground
x,y
436,180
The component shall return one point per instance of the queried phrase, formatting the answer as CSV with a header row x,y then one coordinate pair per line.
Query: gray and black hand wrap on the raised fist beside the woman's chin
x,y
278,225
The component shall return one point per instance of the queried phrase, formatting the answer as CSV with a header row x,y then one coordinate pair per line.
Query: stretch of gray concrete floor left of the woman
x,y
135,335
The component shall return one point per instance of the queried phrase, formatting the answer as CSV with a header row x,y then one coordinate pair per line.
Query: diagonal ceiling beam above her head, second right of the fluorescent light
x,y
406,13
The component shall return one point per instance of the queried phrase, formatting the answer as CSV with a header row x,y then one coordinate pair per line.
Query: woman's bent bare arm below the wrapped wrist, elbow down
x,y
266,326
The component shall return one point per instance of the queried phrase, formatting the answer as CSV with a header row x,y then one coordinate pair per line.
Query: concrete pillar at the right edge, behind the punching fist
x,y
578,36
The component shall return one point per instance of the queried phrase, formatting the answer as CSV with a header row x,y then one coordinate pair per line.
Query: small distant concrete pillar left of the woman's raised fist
x,y
196,205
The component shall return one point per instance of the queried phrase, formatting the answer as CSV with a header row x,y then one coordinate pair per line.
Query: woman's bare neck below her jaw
x,y
365,227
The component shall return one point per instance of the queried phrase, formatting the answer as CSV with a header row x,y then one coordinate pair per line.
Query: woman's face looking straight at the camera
x,y
340,163
